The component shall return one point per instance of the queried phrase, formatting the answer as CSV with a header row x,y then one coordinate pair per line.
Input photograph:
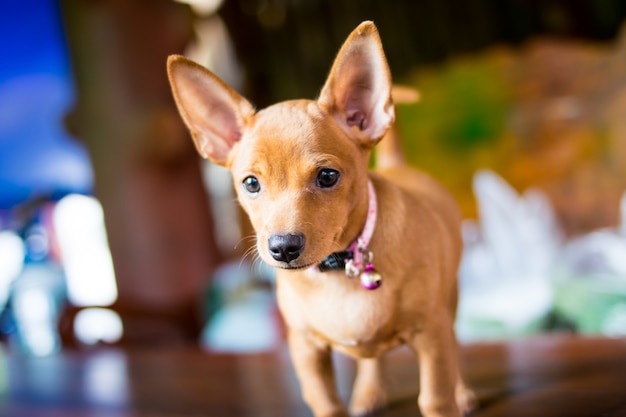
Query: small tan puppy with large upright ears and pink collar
x,y
366,261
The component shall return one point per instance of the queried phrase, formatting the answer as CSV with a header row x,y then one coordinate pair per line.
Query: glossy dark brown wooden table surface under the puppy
x,y
542,376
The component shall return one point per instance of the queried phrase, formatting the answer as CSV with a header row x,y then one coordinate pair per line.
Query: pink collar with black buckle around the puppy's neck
x,y
356,250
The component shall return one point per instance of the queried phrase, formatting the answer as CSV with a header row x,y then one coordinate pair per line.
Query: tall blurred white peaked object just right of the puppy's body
x,y
508,257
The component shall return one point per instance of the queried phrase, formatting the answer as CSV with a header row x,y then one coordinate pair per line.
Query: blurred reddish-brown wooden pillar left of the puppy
x,y
147,173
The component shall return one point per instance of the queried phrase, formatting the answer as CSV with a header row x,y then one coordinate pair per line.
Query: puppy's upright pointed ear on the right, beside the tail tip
x,y
358,89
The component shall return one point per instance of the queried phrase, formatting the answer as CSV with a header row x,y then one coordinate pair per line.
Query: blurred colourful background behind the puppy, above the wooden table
x,y
112,231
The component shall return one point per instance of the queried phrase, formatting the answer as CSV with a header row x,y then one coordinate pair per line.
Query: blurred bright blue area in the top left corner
x,y
37,156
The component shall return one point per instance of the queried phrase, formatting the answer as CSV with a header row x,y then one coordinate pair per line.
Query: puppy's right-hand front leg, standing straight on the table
x,y
435,346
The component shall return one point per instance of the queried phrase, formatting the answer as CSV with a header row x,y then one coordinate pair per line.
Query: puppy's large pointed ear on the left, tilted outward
x,y
214,113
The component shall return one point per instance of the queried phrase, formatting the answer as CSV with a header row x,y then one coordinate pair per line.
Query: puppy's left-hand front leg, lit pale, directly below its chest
x,y
313,365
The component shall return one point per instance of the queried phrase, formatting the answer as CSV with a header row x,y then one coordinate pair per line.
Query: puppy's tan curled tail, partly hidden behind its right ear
x,y
390,152
